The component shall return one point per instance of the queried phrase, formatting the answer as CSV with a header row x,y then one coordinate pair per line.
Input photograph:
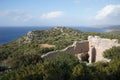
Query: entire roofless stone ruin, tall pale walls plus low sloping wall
x,y
90,50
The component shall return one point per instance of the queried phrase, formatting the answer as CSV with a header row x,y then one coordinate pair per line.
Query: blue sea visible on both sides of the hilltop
x,y
8,34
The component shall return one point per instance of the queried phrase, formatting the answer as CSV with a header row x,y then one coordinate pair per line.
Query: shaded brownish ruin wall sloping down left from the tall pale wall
x,y
78,48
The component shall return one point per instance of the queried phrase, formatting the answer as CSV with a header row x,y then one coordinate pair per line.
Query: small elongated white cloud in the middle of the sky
x,y
52,15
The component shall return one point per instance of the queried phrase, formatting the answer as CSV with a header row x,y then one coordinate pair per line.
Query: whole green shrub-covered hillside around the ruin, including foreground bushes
x,y
23,57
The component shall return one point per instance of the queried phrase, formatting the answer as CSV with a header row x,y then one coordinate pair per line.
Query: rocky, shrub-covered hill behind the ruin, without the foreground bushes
x,y
60,37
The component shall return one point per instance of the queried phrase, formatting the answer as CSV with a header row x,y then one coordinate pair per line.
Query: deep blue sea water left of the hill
x,y
8,34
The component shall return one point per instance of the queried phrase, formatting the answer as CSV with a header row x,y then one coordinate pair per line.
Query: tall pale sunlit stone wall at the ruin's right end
x,y
100,45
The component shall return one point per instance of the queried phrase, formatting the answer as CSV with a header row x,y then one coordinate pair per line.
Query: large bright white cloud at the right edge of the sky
x,y
109,12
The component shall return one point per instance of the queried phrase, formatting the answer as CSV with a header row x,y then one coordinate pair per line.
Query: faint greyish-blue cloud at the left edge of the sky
x,y
16,15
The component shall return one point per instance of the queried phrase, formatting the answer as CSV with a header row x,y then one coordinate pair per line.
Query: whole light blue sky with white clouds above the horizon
x,y
59,12
